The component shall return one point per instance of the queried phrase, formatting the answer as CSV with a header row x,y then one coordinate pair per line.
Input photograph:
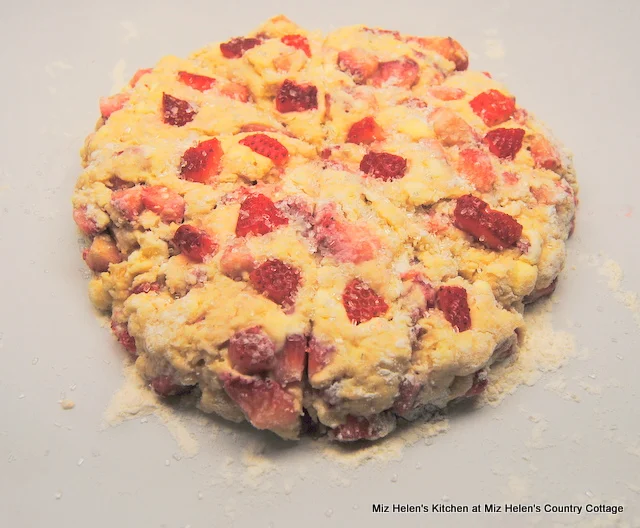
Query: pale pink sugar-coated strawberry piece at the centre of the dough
x,y
345,241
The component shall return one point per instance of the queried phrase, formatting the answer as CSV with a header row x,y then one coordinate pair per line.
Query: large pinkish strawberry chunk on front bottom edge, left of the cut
x,y
264,402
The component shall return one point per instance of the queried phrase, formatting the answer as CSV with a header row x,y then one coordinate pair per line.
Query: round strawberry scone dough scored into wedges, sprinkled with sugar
x,y
323,233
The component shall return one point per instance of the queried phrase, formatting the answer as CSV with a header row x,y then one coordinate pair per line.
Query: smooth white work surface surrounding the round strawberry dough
x,y
574,64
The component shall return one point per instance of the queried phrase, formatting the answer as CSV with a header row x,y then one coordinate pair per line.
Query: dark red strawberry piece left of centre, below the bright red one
x,y
277,281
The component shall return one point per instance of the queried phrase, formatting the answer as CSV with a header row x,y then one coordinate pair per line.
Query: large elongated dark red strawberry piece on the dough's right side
x,y
494,229
